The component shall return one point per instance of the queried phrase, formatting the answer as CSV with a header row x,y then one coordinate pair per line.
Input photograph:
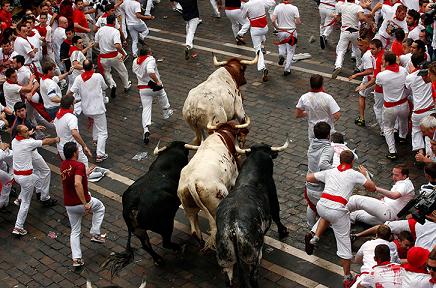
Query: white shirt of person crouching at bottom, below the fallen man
x,y
366,253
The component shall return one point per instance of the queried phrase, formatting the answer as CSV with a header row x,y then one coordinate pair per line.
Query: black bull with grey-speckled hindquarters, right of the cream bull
x,y
244,217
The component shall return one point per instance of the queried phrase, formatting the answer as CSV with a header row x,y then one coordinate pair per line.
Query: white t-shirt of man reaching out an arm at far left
x,y
23,153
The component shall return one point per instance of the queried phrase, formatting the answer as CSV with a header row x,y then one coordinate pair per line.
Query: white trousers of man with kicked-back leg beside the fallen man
x,y
339,219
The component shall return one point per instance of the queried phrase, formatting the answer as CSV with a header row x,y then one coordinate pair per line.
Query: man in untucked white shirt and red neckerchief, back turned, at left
x,y
90,86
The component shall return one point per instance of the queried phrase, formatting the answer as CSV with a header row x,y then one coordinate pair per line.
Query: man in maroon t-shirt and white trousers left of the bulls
x,y
77,200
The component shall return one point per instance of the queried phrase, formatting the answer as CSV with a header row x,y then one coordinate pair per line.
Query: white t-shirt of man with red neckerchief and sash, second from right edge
x,y
392,83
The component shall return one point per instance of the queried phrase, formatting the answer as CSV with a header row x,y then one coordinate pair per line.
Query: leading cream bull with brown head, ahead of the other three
x,y
218,99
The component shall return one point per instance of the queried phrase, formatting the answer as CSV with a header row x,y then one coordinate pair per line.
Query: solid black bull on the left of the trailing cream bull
x,y
151,203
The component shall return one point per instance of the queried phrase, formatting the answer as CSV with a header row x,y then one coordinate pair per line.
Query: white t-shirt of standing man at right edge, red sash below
x,y
421,91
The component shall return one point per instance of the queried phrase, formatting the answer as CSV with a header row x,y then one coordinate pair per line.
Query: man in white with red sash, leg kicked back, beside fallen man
x,y
339,185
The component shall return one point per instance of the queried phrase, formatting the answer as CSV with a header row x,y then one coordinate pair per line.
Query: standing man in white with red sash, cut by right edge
x,y
423,104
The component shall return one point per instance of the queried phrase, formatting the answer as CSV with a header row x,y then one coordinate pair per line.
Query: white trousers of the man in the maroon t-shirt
x,y
75,214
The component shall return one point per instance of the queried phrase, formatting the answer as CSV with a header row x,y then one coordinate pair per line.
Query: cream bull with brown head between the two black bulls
x,y
208,177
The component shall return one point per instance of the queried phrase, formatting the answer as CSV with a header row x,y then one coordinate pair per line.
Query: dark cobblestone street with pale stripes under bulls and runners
x,y
37,260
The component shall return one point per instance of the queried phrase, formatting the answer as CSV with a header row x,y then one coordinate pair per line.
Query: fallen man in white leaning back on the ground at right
x,y
372,211
